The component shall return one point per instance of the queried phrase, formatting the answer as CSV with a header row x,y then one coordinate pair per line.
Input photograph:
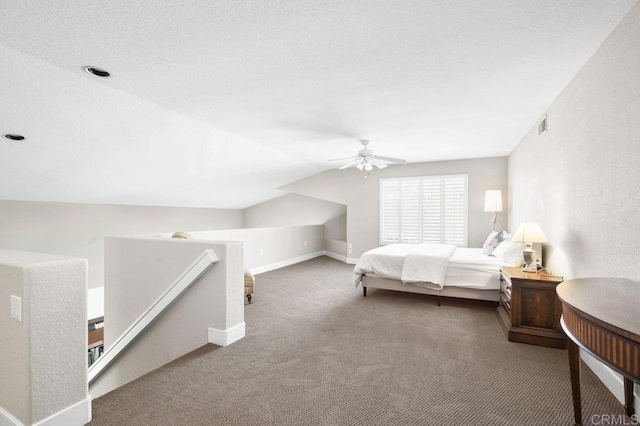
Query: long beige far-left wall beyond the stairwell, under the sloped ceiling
x,y
78,230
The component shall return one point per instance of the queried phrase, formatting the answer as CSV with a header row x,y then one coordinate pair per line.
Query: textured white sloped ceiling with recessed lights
x,y
218,103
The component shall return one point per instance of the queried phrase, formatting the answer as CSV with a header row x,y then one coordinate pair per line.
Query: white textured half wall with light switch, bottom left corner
x,y
43,362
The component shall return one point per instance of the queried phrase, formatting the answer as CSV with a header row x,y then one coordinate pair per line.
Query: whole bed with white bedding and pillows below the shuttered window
x,y
434,269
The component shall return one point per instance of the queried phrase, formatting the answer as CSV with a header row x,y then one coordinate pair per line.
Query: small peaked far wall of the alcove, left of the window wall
x,y
296,209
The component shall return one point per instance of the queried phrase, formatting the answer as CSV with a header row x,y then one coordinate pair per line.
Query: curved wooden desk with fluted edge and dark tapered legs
x,y
601,317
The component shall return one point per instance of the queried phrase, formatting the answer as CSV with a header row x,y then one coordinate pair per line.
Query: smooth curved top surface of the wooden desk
x,y
615,301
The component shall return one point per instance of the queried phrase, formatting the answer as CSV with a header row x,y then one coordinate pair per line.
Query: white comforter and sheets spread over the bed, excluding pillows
x,y
467,267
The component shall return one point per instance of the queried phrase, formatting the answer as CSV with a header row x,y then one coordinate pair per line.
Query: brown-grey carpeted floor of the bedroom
x,y
318,353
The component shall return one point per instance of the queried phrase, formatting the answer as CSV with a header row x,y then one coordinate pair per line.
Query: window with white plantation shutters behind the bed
x,y
426,209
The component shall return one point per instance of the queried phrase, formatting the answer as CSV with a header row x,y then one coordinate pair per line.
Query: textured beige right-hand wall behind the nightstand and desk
x,y
580,179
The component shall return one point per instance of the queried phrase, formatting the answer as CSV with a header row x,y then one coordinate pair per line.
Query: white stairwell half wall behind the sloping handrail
x,y
138,271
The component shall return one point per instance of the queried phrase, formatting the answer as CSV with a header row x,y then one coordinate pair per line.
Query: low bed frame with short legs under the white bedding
x,y
459,292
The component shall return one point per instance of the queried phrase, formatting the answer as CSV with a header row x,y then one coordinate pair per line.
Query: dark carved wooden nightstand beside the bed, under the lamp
x,y
530,310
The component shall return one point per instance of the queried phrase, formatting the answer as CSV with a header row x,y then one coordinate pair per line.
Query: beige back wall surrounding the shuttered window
x,y
360,194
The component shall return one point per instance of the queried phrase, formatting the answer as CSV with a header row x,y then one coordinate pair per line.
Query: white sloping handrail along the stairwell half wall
x,y
157,308
